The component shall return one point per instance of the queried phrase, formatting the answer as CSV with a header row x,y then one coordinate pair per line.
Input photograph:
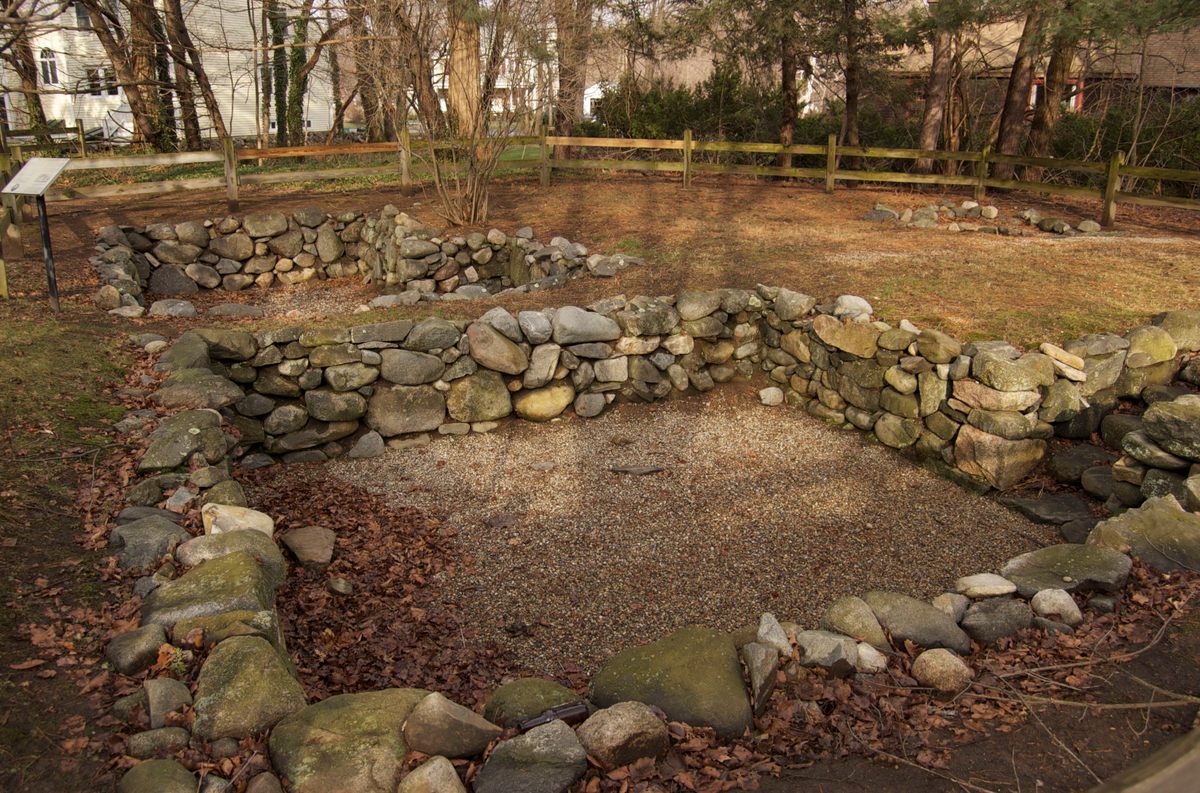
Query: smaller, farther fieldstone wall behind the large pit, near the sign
x,y
391,249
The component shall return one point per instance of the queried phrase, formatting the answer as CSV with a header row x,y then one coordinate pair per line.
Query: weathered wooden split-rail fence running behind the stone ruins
x,y
556,153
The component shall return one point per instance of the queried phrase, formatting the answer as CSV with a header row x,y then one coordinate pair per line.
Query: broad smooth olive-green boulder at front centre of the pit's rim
x,y
693,676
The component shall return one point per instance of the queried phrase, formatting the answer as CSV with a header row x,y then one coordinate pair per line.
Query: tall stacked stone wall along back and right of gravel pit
x,y
983,411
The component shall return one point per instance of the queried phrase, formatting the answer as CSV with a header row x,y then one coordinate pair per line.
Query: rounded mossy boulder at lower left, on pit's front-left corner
x,y
244,688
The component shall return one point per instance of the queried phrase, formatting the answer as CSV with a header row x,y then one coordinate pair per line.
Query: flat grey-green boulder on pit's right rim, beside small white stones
x,y
1084,568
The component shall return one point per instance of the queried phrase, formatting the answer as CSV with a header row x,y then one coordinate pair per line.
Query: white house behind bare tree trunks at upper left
x,y
76,80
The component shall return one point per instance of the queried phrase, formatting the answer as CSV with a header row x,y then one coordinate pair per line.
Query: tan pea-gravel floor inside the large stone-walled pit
x,y
758,509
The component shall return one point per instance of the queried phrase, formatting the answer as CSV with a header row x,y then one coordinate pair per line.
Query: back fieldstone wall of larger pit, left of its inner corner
x,y
309,395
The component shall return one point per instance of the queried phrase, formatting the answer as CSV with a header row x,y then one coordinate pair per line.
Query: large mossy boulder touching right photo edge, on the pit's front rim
x,y
1161,533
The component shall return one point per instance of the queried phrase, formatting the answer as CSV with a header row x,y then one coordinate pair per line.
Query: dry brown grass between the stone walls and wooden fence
x,y
742,233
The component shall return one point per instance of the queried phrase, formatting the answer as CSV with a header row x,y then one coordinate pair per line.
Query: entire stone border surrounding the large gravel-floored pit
x,y
957,406
